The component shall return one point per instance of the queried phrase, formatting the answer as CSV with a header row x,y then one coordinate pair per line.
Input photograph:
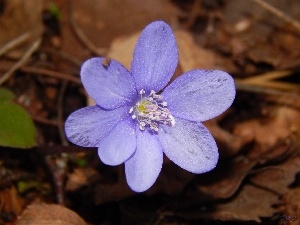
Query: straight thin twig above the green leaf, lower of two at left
x,y
21,62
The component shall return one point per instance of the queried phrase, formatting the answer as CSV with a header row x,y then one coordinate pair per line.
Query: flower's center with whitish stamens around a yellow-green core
x,y
150,111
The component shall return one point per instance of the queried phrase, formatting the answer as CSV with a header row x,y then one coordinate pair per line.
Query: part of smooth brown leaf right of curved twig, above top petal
x,y
100,20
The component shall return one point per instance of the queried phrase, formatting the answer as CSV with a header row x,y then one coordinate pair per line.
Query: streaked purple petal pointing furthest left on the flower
x,y
87,126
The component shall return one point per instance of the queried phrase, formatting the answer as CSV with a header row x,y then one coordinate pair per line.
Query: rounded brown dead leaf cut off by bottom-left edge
x,y
40,213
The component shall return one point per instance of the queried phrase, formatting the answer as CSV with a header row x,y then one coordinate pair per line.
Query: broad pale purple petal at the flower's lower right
x,y
189,145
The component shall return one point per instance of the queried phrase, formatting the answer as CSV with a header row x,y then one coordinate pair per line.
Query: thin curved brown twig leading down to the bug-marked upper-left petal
x,y
81,36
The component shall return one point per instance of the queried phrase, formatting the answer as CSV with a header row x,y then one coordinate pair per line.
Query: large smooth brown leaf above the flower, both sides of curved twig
x,y
102,21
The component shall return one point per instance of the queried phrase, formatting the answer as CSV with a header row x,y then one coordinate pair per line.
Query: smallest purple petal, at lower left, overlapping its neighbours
x,y
119,144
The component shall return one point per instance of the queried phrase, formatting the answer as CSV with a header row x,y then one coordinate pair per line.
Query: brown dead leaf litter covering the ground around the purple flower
x,y
257,178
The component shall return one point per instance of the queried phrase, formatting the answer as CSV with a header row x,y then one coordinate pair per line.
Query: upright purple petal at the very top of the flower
x,y
155,57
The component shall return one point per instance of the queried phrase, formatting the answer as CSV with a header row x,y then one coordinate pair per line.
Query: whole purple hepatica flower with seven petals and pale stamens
x,y
137,119
